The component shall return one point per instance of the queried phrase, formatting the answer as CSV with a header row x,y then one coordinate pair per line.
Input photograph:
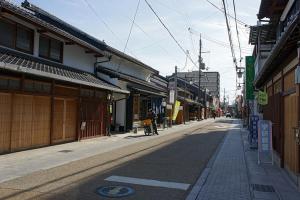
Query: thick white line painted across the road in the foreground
x,y
148,182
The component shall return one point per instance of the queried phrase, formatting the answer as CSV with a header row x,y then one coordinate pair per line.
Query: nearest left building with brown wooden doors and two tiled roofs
x,y
44,98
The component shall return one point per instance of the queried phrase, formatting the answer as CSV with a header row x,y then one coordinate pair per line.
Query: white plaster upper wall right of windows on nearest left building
x,y
76,57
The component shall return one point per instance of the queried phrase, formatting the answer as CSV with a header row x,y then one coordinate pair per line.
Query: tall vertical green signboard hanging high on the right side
x,y
249,77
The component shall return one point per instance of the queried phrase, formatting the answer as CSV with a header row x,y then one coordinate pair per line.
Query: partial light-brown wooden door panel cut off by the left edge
x,y
5,119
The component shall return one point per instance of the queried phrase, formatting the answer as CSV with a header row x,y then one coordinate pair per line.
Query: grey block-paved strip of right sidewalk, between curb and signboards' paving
x,y
227,177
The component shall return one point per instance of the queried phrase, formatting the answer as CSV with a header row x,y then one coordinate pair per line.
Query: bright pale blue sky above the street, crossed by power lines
x,y
111,20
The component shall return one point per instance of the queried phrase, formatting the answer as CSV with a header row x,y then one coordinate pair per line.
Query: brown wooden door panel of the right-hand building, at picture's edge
x,y
291,150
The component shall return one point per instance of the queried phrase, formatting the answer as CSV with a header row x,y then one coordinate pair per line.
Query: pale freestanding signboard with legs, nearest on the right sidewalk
x,y
265,139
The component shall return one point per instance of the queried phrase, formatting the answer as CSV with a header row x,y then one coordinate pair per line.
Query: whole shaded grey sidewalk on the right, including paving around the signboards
x,y
233,171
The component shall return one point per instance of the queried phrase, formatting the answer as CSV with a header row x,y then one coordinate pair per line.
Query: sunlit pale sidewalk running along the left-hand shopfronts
x,y
19,164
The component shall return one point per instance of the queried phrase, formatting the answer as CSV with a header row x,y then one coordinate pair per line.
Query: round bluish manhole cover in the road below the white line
x,y
115,191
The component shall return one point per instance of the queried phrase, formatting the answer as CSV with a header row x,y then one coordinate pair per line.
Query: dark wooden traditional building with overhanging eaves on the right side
x,y
275,38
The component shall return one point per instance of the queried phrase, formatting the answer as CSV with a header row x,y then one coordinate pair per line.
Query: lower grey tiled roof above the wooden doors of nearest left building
x,y
24,63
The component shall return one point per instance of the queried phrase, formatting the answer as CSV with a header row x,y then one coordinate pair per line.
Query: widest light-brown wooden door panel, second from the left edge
x,y
30,121
